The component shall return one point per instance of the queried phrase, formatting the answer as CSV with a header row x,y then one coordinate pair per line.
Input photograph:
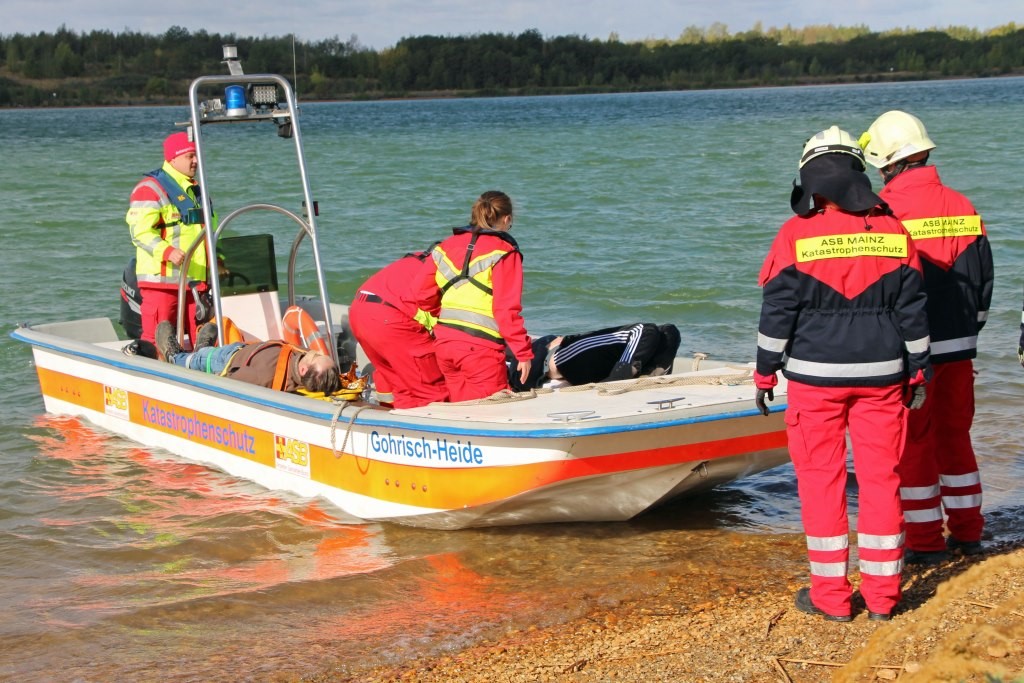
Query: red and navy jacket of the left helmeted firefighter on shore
x,y
844,303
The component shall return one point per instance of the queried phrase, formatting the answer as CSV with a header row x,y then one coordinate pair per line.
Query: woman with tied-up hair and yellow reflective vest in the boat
x,y
479,273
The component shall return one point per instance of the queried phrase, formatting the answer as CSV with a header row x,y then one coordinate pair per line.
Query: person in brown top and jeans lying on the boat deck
x,y
275,365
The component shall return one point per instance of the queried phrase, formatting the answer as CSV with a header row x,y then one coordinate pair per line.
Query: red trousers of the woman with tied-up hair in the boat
x,y
473,370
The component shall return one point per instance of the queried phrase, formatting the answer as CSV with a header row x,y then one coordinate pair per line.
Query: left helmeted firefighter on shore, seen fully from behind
x,y
844,318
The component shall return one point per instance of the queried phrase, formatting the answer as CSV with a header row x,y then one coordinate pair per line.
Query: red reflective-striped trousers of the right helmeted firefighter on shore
x,y
938,468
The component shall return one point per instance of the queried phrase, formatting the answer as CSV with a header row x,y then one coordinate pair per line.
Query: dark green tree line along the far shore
x,y
67,68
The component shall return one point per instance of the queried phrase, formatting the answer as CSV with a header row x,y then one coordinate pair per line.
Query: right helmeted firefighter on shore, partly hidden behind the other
x,y
938,468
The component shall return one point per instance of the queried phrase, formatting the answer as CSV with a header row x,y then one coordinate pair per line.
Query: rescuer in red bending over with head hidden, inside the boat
x,y
395,333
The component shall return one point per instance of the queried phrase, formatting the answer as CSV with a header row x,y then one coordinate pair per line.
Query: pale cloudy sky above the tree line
x,y
381,24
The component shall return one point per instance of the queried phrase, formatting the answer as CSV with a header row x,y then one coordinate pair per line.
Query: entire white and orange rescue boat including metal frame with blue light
x,y
599,453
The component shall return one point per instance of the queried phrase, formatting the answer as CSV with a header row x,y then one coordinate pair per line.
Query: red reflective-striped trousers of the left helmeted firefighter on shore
x,y
818,420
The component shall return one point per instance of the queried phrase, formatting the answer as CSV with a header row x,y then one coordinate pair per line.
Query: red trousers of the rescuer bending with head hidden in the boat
x,y
403,354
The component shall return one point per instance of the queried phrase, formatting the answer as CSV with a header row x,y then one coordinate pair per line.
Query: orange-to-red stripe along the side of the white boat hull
x,y
433,488
